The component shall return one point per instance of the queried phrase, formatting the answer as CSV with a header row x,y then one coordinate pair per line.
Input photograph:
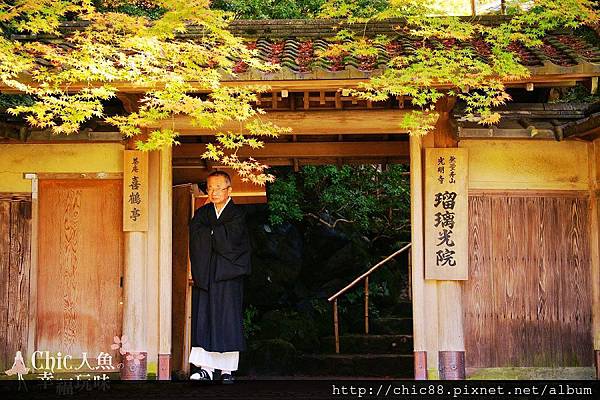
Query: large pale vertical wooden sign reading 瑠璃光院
x,y
446,214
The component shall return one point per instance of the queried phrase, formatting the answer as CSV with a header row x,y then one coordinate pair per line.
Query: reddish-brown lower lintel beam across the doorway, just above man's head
x,y
305,150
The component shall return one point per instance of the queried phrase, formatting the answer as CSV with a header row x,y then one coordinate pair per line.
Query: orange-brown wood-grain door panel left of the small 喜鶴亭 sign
x,y
80,264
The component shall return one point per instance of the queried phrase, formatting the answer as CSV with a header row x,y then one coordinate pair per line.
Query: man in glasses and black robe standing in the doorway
x,y
220,258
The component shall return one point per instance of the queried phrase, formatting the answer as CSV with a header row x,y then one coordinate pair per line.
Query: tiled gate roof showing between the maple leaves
x,y
295,46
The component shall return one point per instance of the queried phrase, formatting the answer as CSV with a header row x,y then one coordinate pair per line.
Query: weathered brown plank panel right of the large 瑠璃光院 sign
x,y
527,301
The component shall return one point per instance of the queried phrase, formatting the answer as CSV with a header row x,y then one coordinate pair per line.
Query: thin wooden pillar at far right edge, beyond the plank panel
x,y
594,173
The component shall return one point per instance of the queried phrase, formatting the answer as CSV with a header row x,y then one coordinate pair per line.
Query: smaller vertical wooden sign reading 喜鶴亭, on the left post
x,y
135,191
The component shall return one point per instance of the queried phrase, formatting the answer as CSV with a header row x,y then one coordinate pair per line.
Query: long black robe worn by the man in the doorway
x,y
219,262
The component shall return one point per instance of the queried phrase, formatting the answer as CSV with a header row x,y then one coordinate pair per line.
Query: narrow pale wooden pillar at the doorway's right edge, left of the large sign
x,y
417,259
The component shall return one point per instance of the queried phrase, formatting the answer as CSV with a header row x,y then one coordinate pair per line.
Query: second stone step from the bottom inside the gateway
x,y
371,344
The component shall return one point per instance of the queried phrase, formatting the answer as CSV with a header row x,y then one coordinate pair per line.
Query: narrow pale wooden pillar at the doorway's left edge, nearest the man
x,y
165,262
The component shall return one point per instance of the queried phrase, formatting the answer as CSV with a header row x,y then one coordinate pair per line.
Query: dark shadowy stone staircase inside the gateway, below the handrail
x,y
386,352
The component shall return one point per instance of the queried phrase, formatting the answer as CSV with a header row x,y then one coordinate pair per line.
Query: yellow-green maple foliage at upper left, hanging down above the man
x,y
70,74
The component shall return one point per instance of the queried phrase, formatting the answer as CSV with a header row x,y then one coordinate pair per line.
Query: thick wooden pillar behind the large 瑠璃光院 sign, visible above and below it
x,y
451,351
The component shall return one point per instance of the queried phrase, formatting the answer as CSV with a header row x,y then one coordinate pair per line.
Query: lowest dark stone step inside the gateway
x,y
380,365
